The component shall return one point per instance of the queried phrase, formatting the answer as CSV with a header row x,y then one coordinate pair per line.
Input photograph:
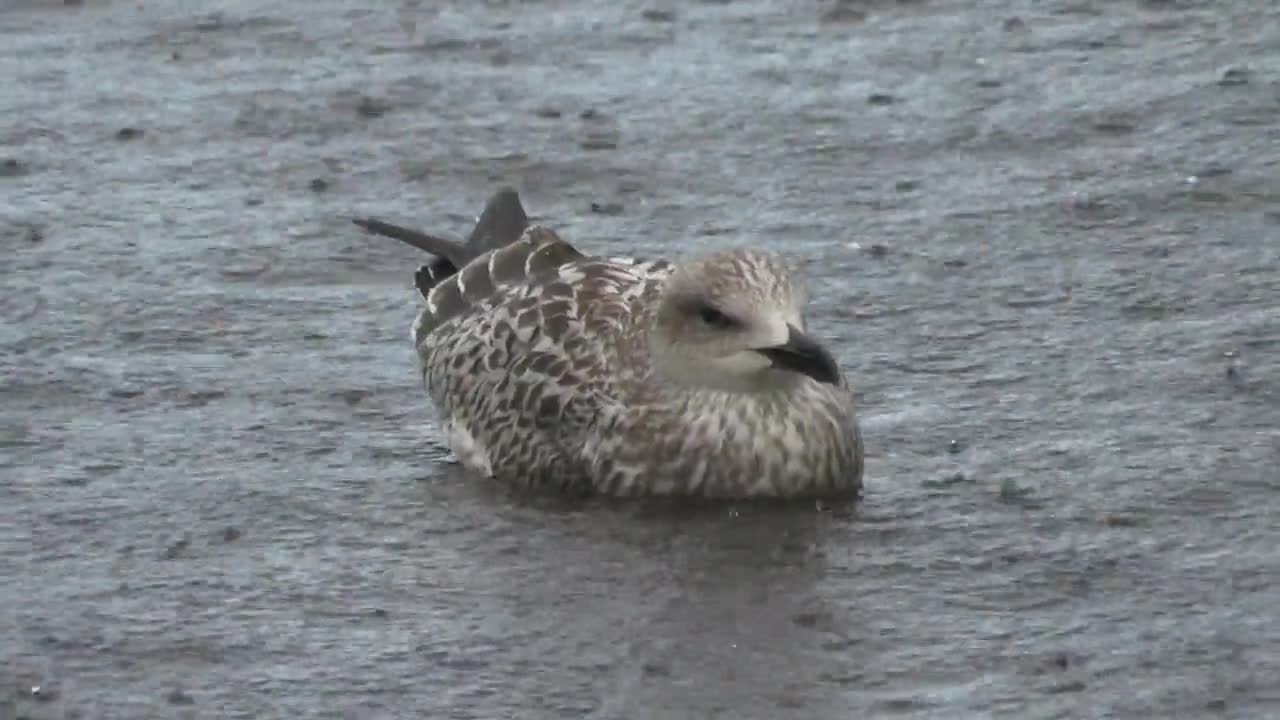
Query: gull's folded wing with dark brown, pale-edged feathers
x,y
527,344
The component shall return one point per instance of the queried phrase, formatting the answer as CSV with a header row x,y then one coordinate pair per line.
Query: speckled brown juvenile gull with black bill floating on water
x,y
628,377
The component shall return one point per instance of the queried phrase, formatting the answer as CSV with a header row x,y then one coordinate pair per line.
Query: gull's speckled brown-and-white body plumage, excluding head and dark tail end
x,y
537,358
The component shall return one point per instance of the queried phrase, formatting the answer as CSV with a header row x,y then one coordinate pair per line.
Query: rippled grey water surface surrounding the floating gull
x,y
1044,239
